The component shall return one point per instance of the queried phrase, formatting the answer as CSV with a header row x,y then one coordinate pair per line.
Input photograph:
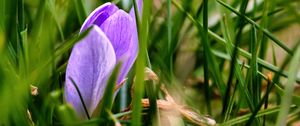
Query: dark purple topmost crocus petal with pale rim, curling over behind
x,y
99,15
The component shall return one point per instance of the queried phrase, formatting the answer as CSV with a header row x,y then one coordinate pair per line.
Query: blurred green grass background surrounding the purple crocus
x,y
234,61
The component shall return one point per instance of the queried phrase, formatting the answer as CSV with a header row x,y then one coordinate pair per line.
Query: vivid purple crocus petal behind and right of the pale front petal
x,y
119,28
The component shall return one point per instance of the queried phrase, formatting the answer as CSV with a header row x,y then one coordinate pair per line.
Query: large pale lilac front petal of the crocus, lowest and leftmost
x,y
90,64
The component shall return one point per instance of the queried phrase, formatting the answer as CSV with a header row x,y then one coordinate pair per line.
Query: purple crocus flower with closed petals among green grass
x,y
112,39
